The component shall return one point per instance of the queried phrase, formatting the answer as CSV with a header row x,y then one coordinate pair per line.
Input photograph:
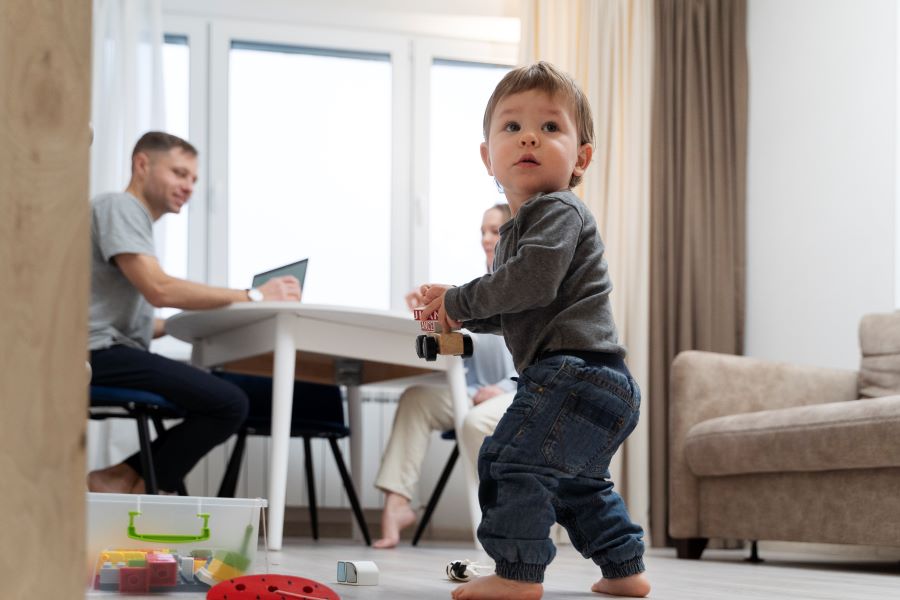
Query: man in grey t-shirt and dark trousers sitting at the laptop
x,y
127,282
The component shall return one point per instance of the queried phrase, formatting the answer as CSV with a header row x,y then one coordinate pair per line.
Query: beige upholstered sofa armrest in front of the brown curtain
x,y
705,385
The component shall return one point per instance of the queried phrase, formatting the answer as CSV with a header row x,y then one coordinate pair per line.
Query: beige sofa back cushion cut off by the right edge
x,y
879,341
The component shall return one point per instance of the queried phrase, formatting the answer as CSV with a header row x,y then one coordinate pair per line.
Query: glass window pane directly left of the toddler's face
x,y
460,188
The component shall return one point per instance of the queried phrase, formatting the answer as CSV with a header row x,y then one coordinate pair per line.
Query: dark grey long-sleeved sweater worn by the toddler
x,y
550,286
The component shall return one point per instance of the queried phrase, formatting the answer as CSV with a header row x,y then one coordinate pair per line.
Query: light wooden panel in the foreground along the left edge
x,y
45,83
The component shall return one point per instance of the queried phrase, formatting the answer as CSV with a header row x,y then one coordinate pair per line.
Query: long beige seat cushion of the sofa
x,y
856,434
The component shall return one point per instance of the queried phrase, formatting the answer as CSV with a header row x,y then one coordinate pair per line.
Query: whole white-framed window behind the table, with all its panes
x,y
315,144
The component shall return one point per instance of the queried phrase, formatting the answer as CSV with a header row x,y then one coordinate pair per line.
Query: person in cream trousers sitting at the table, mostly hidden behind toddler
x,y
423,409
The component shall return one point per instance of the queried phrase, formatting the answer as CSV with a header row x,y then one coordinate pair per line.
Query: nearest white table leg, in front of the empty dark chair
x,y
282,405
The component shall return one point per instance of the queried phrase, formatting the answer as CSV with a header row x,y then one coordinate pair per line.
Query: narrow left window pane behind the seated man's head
x,y
172,230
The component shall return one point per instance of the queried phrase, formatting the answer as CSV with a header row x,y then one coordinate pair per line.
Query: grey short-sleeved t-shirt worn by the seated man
x,y
119,314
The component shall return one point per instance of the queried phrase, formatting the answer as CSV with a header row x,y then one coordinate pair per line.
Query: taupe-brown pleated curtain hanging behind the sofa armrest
x,y
698,193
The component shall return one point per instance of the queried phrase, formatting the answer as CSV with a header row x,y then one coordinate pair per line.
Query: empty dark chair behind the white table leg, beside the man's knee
x,y
318,412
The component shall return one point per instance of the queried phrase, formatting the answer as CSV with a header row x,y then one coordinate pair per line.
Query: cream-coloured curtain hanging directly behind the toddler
x,y
607,46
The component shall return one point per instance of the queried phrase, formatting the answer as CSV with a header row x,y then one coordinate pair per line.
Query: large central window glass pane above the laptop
x,y
310,169
